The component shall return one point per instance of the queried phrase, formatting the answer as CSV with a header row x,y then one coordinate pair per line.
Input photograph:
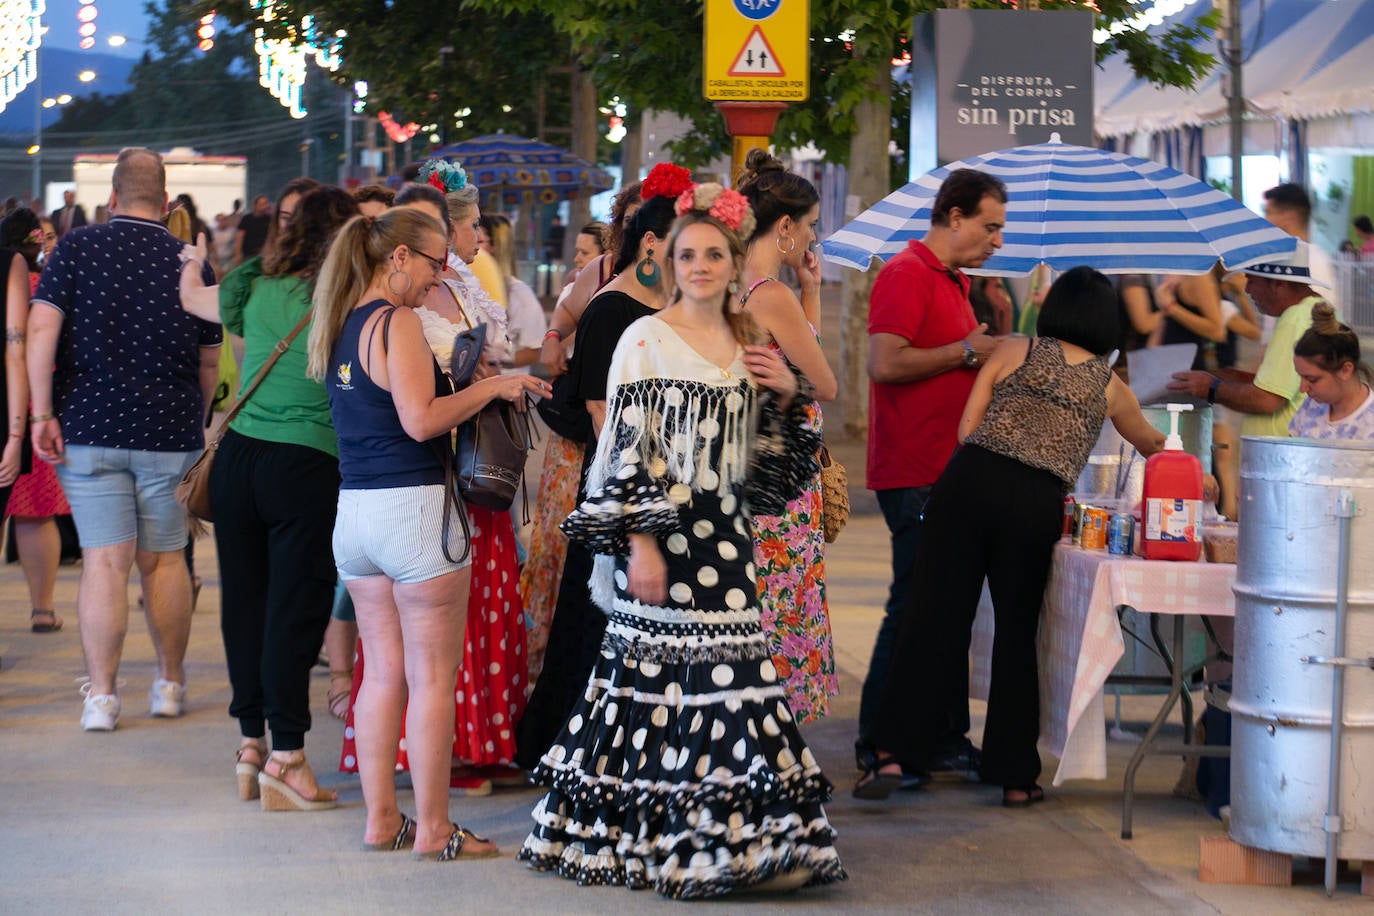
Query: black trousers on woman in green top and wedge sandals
x,y
274,525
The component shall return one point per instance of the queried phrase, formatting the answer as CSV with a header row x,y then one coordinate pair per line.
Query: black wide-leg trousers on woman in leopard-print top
x,y
989,517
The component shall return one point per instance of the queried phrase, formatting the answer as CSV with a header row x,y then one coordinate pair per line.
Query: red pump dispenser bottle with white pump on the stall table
x,y
1173,499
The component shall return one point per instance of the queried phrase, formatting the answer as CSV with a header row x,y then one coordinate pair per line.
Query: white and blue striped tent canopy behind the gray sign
x,y
1305,60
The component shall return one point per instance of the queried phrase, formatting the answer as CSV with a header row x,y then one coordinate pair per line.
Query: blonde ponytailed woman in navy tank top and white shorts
x,y
412,599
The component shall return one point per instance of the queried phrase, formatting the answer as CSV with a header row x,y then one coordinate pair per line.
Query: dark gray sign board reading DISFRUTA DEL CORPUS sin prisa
x,y
987,80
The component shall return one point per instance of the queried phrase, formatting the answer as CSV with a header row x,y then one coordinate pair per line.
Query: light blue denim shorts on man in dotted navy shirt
x,y
126,495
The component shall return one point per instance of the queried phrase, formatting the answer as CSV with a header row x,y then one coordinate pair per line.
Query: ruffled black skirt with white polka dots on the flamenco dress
x,y
681,768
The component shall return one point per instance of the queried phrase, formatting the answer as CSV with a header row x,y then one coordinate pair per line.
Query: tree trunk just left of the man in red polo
x,y
868,183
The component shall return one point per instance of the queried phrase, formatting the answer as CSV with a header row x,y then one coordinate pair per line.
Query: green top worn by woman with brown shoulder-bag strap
x,y
288,407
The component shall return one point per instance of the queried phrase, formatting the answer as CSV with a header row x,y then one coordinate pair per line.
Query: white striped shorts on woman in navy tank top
x,y
396,534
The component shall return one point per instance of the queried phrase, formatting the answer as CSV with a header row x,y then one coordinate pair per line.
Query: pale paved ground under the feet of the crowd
x,y
146,821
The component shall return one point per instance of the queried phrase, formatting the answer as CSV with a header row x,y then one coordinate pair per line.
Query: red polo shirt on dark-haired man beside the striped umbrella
x,y
914,426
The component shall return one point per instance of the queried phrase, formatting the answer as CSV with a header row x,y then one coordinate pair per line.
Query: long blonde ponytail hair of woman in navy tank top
x,y
358,253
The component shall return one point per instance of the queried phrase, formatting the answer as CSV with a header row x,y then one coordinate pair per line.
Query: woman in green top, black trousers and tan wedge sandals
x,y
274,491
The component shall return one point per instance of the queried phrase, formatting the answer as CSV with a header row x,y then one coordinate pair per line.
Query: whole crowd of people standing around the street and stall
x,y
652,653
